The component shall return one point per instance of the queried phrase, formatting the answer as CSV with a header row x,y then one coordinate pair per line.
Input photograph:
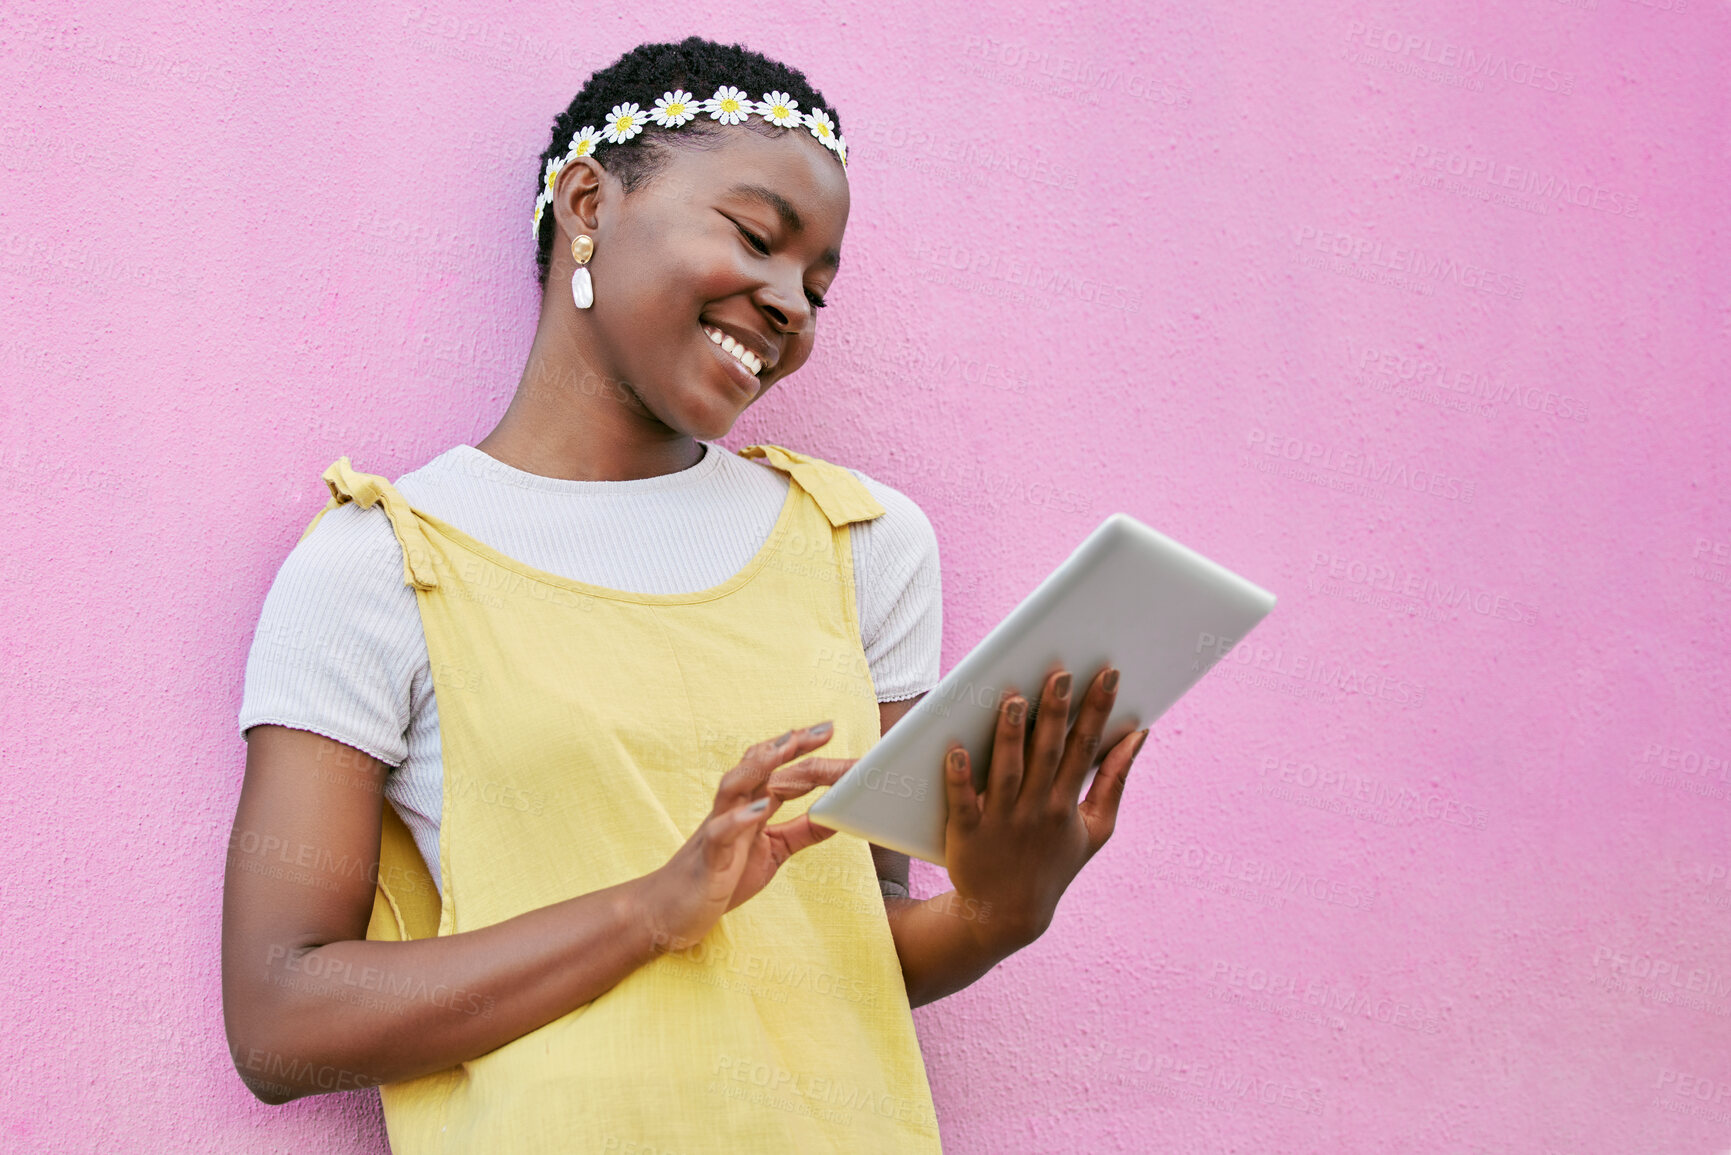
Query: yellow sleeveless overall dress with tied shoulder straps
x,y
584,735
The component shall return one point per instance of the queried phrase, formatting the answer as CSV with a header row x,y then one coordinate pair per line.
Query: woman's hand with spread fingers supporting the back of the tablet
x,y
1022,842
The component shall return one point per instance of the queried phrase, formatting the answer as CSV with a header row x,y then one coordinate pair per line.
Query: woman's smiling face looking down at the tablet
x,y
735,242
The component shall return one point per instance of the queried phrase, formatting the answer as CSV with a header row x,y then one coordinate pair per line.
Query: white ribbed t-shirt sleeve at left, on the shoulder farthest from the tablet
x,y
337,640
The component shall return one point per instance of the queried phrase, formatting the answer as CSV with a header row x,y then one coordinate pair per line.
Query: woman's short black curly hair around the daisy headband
x,y
698,67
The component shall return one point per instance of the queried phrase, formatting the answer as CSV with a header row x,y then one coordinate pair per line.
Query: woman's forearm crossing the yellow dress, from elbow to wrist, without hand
x,y
361,1014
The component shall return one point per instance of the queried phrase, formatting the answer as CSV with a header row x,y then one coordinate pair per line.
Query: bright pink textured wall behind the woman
x,y
1470,891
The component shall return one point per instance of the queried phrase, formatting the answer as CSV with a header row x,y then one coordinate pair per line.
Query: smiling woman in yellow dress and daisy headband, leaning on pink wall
x,y
572,927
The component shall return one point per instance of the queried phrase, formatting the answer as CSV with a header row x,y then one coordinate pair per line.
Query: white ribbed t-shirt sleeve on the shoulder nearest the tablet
x,y
899,595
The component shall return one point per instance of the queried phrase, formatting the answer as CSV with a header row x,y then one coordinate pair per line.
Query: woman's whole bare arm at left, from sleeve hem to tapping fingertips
x,y
311,1005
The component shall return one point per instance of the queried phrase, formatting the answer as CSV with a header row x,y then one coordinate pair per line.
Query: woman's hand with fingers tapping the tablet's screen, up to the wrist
x,y
735,853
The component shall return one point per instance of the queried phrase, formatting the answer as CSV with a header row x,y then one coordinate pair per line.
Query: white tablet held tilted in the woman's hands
x,y
1128,597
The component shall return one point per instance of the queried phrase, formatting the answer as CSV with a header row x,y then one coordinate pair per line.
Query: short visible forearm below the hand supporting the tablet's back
x,y
946,943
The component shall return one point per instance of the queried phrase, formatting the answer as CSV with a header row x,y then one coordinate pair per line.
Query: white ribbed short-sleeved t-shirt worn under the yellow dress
x,y
340,648
